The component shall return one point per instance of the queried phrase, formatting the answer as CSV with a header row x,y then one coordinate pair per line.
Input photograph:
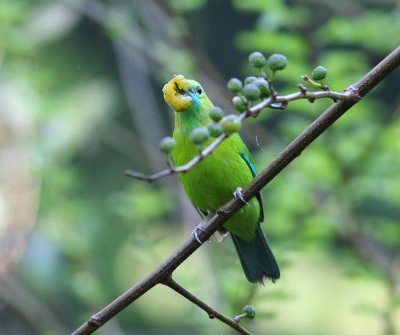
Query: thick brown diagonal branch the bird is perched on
x,y
213,223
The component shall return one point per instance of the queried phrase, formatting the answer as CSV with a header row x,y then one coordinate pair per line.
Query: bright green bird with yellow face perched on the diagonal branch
x,y
212,182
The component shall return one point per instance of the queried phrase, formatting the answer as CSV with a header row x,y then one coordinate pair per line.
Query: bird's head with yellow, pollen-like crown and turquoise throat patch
x,y
183,94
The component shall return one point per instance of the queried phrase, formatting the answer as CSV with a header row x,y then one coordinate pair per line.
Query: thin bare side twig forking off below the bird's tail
x,y
212,313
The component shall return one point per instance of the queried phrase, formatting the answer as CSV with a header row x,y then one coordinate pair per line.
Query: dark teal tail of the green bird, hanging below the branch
x,y
256,257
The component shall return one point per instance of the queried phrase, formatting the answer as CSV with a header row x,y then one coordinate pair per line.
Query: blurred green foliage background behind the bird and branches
x,y
81,102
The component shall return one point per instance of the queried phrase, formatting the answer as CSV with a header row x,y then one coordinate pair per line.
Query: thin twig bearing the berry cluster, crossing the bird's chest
x,y
253,111
